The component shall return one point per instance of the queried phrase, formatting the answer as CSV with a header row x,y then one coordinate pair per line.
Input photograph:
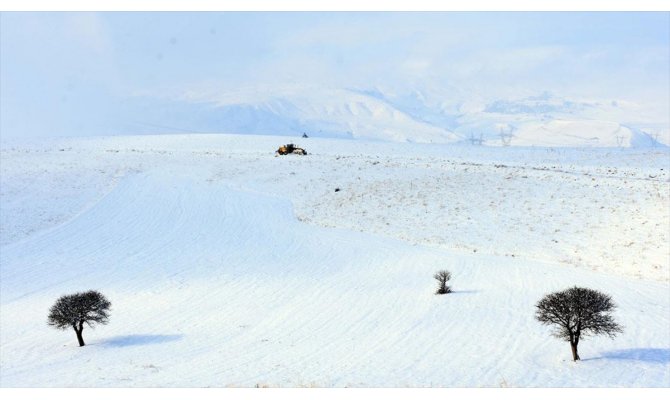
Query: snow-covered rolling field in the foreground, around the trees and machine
x,y
227,266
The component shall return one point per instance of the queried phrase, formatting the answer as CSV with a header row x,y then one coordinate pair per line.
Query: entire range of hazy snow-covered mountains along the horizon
x,y
420,116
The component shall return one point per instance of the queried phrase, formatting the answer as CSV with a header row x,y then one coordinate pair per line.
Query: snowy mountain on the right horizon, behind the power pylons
x,y
551,121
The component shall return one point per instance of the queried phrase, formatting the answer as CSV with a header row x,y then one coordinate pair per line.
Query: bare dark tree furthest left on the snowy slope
x,y
78,309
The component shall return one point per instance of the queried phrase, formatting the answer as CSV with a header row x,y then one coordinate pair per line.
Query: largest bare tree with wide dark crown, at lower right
x,y
578,312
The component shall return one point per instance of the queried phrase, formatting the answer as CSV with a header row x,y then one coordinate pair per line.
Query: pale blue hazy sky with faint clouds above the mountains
x,y
67,73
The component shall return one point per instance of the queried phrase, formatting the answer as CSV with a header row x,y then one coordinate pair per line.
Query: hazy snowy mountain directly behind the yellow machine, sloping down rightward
x,y
322,112
